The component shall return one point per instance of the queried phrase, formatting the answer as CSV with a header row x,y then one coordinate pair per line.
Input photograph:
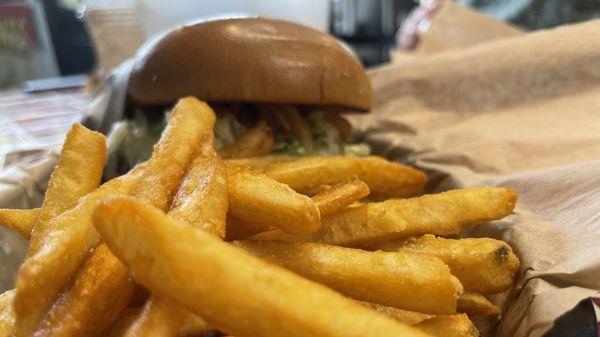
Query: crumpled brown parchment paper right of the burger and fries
x,y
522,112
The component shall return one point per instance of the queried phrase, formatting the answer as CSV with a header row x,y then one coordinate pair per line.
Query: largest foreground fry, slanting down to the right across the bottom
x,y
172,258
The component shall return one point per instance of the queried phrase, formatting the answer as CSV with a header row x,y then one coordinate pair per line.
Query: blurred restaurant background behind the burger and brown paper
x,y
54,53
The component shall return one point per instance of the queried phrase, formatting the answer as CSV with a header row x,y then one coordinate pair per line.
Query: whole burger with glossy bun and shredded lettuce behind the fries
x,y
291,80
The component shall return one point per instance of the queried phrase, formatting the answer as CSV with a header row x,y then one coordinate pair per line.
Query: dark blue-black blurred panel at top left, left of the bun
x,y
73,47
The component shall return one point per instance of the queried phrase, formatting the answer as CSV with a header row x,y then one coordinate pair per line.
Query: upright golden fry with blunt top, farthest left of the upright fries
x,y
78,172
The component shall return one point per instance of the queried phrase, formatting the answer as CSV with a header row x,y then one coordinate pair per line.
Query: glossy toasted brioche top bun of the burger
x,y
249,60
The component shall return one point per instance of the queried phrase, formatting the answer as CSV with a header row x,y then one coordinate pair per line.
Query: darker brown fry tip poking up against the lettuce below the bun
x,y
257,141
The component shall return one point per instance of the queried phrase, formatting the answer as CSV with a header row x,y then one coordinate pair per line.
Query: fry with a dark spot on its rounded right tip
x,y
483,265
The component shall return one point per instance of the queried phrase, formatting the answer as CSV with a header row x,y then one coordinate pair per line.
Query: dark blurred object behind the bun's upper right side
x,y
369,26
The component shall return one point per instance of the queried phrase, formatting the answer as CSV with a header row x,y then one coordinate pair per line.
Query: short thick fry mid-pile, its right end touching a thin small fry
x,y
259,199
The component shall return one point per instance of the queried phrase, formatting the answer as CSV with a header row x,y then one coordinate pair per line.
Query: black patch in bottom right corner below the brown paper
x,y
580,321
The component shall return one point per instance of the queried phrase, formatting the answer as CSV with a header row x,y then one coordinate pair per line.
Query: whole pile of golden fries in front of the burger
x,y
187,242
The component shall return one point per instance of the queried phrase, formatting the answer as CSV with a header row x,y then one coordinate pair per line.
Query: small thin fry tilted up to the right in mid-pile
x,y
337,197
